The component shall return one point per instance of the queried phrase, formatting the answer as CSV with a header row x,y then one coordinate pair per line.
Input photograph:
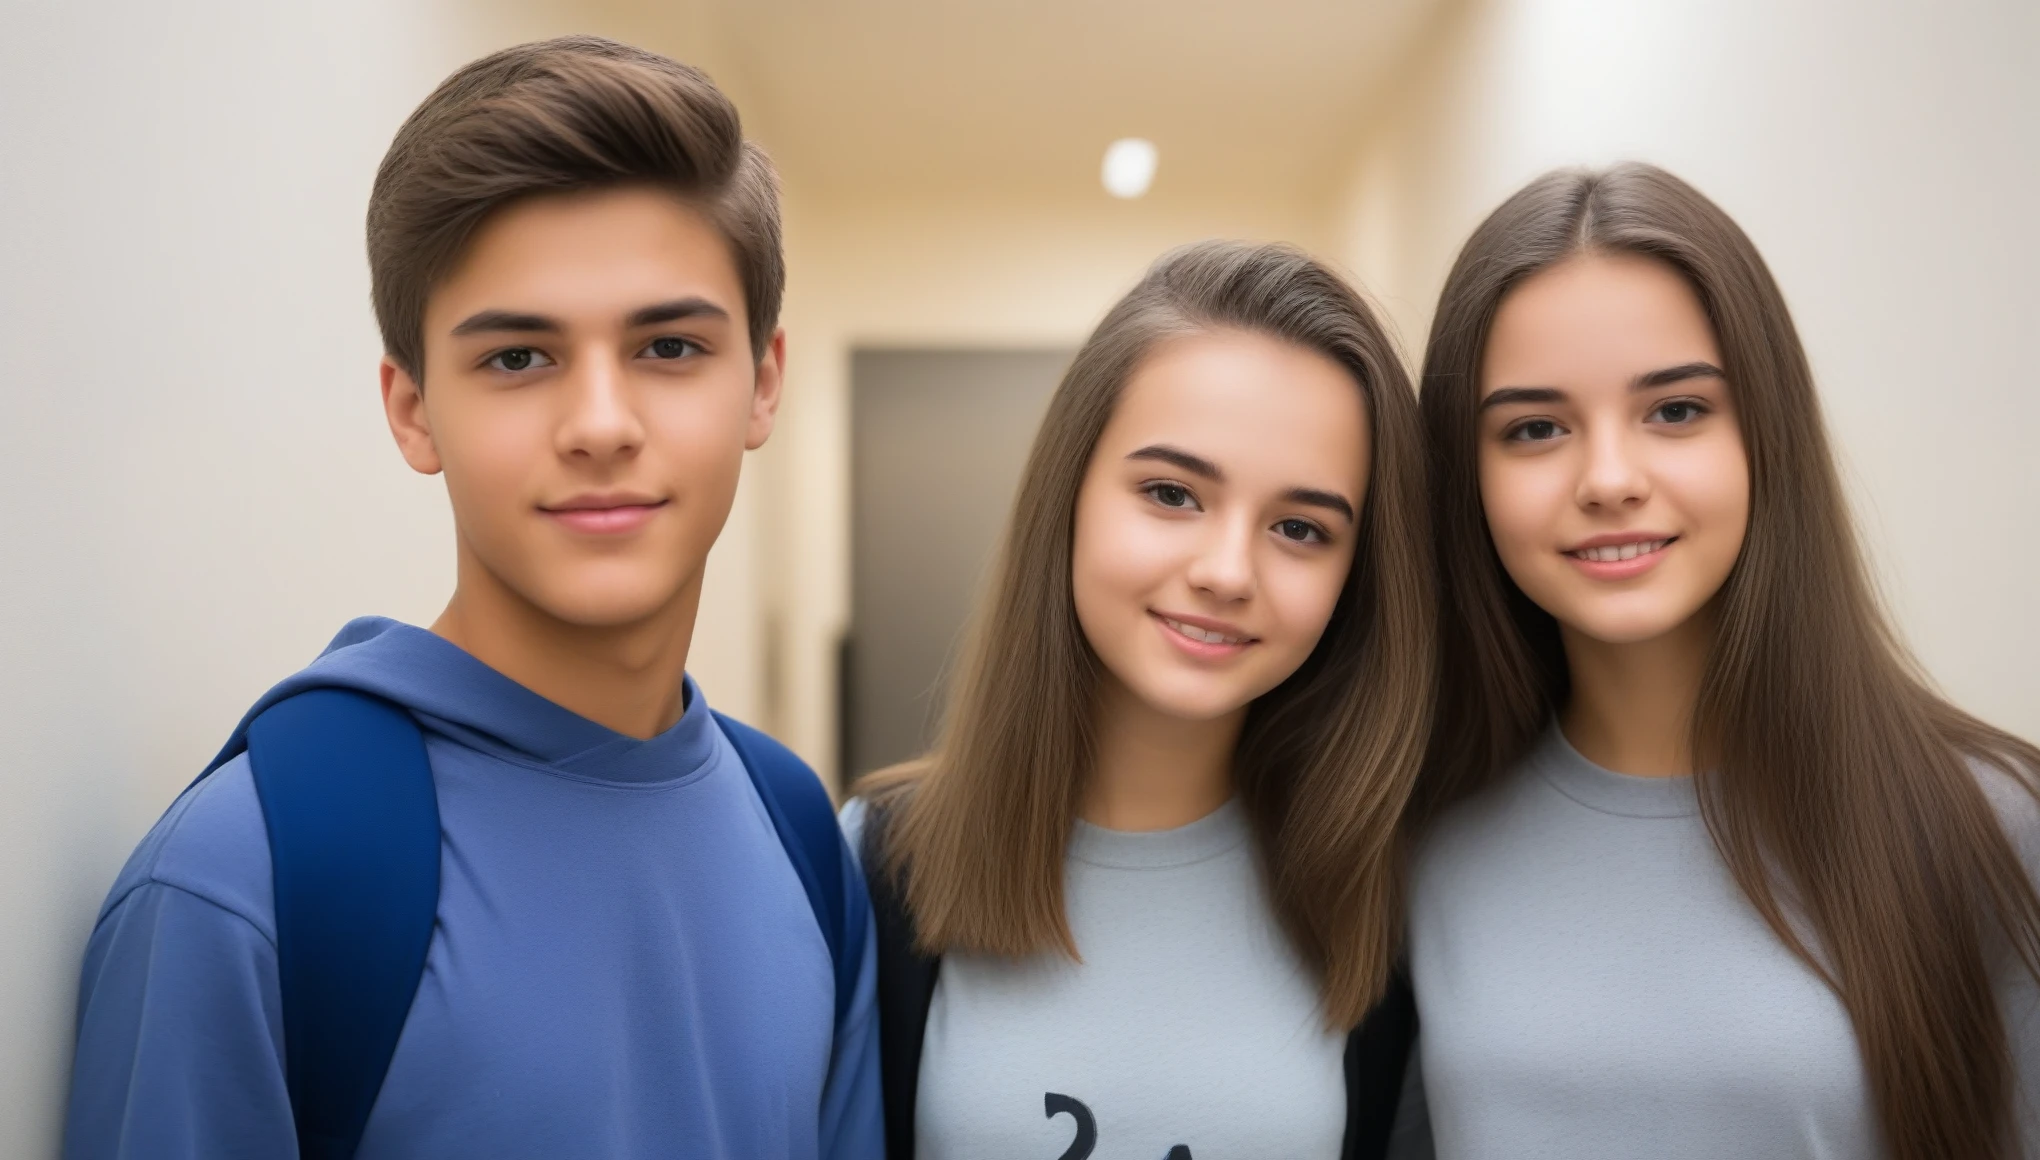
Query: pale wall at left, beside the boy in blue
x,y
195,482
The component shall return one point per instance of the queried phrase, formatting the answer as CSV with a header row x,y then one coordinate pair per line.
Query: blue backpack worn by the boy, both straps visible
x,y
354,837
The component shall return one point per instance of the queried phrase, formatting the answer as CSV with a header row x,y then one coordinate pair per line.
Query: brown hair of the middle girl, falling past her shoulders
x,y
1325,763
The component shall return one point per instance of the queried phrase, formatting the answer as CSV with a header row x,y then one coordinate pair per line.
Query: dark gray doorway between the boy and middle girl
x,y
937,445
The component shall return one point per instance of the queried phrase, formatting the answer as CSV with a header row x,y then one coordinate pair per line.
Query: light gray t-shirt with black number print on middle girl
x,y
1188,1033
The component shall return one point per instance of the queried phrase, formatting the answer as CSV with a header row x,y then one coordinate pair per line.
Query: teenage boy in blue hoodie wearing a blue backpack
x,y
576,270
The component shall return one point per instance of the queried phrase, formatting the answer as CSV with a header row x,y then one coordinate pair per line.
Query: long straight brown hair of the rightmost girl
x,y
1839,788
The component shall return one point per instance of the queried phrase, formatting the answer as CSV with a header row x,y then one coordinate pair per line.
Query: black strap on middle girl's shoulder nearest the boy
x,y
907,988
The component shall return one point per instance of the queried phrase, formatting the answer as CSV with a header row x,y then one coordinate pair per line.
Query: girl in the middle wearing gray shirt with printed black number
x,y
1143,898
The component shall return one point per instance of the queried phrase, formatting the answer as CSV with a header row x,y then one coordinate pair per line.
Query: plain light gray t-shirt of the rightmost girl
x,y
1592,984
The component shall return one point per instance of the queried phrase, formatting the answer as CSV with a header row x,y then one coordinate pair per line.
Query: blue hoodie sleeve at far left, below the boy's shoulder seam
x,y
181,1045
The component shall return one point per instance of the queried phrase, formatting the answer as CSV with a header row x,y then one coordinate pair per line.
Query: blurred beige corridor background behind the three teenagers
x,y
199,486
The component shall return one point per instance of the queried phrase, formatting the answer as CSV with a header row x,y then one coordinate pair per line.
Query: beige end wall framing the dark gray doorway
x,y
917,270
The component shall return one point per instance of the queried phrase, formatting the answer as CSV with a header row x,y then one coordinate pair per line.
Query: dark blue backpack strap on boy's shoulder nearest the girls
x,y
807,823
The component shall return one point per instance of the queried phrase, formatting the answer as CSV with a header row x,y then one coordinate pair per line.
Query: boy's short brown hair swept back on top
x,y
574,113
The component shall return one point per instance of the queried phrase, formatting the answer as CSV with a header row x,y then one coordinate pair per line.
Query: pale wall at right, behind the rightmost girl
x,y
1884,156
